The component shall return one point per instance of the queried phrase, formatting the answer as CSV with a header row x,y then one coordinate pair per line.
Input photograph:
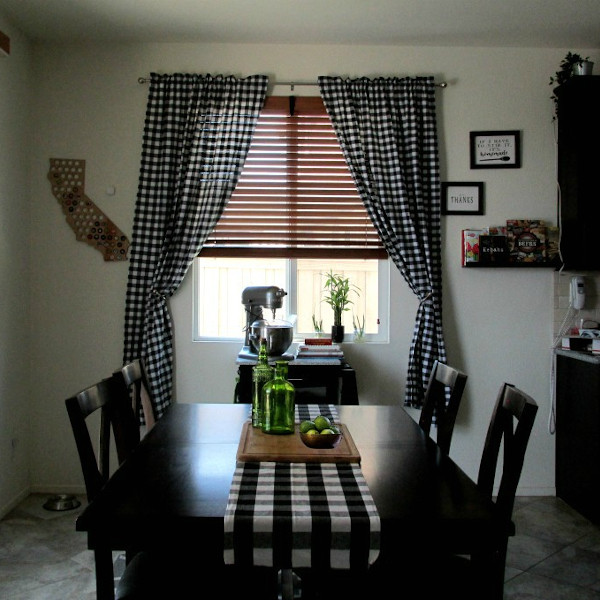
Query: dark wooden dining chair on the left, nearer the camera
x,y
109,400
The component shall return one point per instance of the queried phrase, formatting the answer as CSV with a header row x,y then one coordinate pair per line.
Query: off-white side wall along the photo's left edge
x,y
15,199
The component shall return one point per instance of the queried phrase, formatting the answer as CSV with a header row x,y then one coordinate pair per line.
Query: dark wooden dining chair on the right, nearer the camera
x,y
440,574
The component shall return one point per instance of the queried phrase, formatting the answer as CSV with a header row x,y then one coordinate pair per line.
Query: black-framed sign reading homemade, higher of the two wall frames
x,y
495,149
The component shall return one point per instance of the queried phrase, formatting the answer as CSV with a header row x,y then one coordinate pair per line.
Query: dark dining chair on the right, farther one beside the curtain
x,y
441,407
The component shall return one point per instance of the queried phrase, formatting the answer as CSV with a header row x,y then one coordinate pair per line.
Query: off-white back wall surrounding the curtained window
x,y
498,322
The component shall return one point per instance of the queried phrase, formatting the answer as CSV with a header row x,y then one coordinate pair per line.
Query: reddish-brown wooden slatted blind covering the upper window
x,y
295,197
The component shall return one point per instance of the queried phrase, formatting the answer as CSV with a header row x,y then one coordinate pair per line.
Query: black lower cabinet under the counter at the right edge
x,y
578,432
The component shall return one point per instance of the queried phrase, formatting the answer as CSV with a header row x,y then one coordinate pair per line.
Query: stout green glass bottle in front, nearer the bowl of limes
x,y
278,408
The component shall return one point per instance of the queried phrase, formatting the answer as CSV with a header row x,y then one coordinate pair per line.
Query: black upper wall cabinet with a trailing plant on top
x,y
578,171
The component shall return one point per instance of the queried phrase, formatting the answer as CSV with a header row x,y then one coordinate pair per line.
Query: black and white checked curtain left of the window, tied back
x,y
196,137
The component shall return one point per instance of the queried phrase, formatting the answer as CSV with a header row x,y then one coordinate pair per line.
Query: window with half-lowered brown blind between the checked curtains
x,y
294,216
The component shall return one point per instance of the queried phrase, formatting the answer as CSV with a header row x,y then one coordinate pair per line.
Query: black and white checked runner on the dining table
x,y
294,515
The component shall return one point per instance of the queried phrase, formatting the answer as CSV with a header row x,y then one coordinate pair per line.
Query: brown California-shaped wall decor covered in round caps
x,y
89,223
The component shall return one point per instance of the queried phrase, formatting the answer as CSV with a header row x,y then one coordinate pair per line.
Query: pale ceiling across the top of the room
x,y
573,24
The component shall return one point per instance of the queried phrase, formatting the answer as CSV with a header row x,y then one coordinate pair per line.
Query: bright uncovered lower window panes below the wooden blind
x,y
219,282
